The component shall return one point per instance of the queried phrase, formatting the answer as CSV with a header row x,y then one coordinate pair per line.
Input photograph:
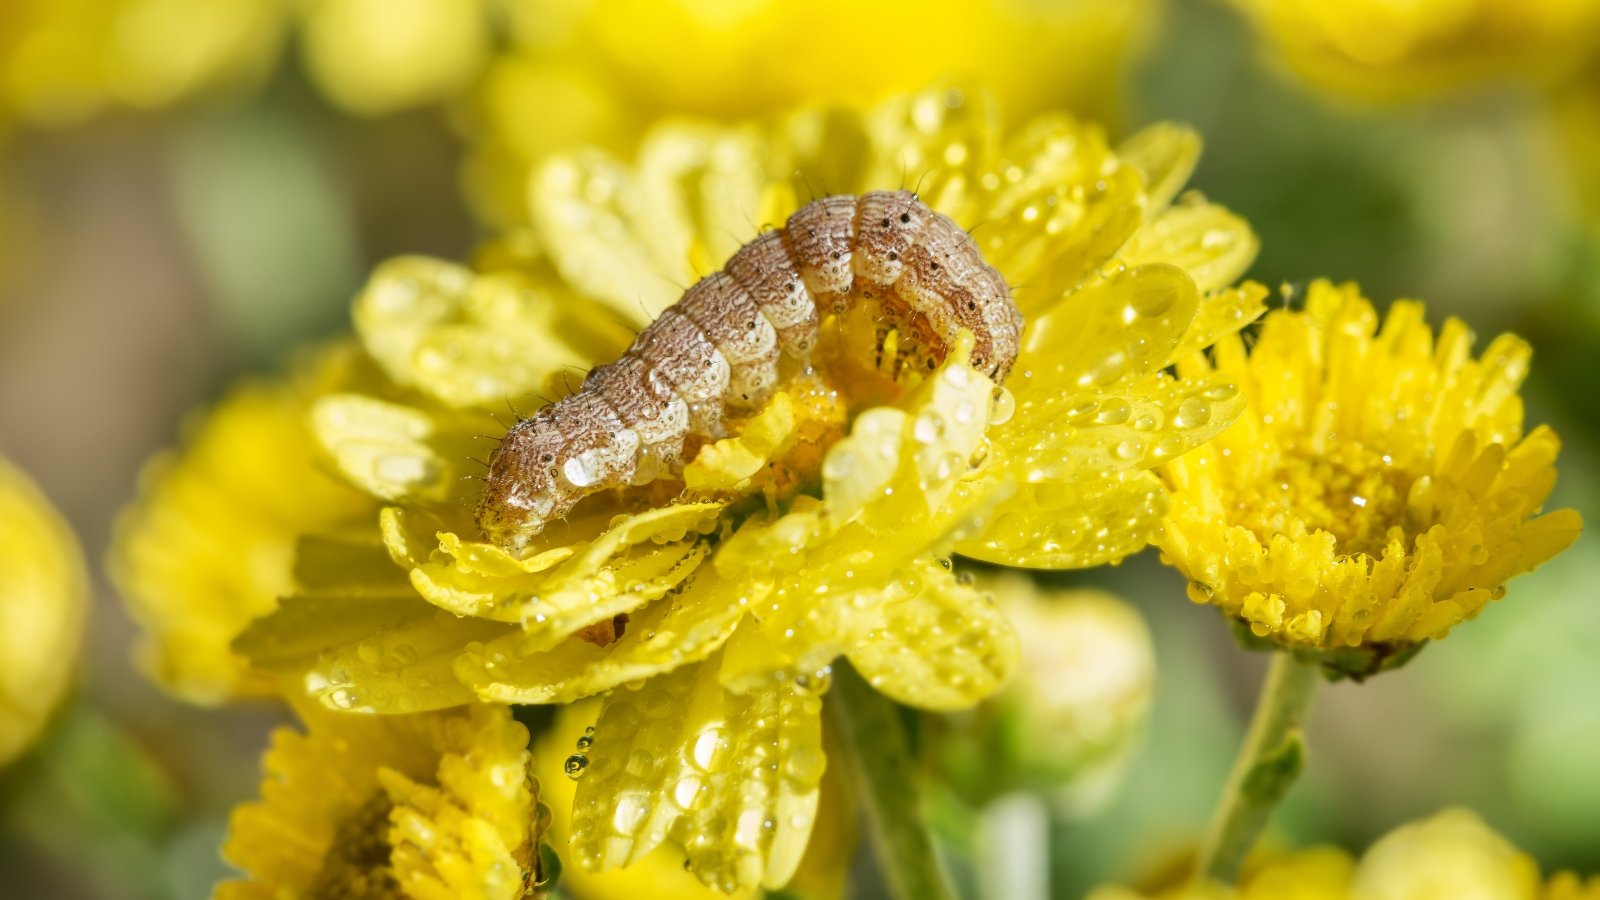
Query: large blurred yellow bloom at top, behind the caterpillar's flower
x,y
601,73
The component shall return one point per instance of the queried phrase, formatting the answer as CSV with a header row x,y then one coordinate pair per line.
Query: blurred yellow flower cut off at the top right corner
x,y
1383,49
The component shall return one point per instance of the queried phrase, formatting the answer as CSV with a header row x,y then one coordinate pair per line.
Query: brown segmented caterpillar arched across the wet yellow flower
x,y
727,345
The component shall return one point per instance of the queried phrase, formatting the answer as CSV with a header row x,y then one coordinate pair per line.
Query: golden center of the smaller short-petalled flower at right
x,y
1346,489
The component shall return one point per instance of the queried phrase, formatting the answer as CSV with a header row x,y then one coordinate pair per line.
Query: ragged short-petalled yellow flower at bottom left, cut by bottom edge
x,y
434,806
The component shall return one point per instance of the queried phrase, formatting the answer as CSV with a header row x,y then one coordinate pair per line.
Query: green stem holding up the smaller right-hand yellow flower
x,y
1268,763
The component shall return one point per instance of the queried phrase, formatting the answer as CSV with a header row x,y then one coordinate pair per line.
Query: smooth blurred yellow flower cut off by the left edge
x,y
44,598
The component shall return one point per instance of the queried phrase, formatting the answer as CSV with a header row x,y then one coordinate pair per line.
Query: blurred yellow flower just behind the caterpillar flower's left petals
x,y
212,542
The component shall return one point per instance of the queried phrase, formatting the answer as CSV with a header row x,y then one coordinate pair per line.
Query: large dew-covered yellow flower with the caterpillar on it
x,y
711,611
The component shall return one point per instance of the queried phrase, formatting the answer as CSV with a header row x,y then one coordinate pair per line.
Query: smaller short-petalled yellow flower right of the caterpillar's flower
x,y
1380,489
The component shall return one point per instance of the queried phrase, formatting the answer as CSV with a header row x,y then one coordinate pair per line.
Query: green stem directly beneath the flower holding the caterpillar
x,y
886,782
